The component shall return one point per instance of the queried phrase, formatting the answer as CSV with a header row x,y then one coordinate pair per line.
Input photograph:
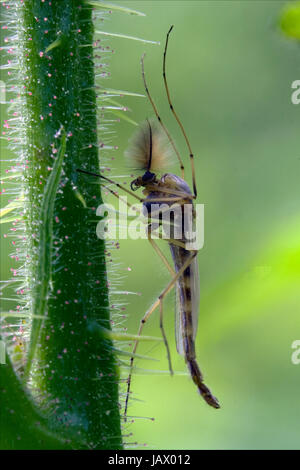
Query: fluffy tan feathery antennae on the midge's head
x,y
149,148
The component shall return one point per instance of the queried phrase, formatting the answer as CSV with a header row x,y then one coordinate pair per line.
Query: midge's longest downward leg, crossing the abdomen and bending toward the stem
x,y
146,317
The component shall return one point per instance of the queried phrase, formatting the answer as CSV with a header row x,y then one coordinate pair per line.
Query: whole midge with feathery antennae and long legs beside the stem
x,y
150,150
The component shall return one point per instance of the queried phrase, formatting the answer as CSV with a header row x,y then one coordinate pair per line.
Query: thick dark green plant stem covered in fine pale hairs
x,y
69,354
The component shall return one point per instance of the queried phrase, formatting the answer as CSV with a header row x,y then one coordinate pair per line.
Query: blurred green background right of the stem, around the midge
x,y
230,72
